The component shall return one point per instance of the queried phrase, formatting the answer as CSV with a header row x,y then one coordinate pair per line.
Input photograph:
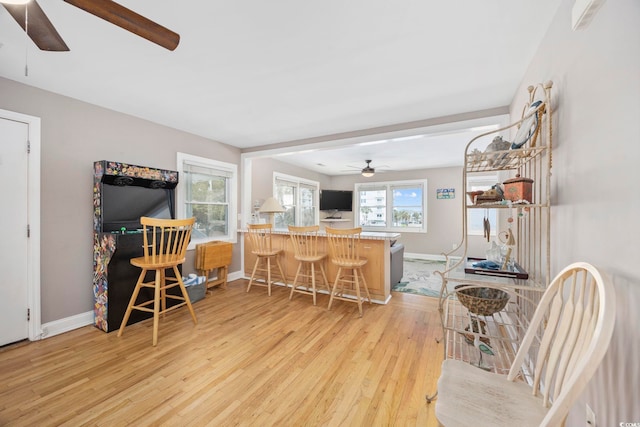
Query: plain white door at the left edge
x,y
14,255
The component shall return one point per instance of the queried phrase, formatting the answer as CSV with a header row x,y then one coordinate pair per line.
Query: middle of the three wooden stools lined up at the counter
x,y
305,246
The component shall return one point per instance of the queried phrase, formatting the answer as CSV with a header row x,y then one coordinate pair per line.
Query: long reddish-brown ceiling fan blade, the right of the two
x,y
129,20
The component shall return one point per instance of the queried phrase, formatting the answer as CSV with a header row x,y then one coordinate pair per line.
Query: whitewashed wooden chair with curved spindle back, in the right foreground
x,y
578,308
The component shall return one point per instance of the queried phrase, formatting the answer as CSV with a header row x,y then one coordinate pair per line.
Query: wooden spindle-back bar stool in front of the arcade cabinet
x,y
165,245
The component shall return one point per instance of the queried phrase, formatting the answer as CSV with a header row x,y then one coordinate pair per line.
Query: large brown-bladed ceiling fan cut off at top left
x,y
39,28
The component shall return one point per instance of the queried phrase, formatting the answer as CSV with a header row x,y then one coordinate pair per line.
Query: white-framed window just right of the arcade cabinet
x,y
207,190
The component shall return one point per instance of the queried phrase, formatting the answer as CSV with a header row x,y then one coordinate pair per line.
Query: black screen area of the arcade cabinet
x,y
124,202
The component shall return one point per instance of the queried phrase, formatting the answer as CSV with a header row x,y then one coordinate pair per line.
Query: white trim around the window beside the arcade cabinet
x,y
233,193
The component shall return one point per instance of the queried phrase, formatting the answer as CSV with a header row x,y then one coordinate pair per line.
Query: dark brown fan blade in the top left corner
x,y
40,29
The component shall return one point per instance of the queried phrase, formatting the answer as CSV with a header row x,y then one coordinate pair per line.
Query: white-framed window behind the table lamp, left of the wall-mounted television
x,y
299,197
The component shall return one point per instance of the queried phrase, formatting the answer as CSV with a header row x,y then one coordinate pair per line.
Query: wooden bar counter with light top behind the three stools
x,y
375,246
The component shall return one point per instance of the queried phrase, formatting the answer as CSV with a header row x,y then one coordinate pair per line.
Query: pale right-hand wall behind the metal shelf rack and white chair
x,y
596,210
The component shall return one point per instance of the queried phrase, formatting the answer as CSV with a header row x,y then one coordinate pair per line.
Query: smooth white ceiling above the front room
x,y
252,72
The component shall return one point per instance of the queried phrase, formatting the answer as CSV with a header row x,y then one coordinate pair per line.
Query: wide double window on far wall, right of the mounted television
x,y
393,206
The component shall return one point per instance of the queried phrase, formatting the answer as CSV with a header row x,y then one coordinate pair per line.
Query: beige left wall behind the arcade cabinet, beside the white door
x,y
74,134
